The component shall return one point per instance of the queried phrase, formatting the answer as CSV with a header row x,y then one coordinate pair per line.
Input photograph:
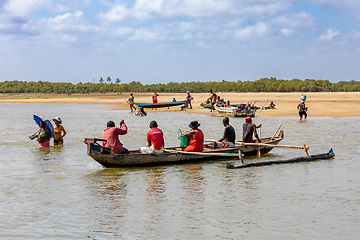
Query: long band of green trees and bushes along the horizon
x,y
262,85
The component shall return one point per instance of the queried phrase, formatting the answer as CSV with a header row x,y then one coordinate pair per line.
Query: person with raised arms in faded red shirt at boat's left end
x,y
111,135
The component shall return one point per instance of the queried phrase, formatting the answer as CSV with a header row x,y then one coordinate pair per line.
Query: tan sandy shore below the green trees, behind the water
x,y
338,104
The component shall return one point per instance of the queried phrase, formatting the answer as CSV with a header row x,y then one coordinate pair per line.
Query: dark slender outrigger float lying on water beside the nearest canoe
x,y
330,154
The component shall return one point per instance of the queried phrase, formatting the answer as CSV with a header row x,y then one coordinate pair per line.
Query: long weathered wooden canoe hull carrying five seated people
x,y
173,155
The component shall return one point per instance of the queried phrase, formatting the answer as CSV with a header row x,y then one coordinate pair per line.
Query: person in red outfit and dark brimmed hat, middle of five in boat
x,y
196,138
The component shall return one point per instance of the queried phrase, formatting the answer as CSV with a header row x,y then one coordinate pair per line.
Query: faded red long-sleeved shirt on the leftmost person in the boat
x,y
111,135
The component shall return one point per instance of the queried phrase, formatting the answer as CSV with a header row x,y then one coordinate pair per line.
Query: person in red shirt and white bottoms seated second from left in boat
x,y
155,139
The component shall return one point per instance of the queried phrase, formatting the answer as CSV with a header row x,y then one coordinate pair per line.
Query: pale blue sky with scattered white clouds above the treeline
x,y
161,41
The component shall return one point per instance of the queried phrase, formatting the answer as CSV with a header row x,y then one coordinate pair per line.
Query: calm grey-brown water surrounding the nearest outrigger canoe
x,y
61,193
